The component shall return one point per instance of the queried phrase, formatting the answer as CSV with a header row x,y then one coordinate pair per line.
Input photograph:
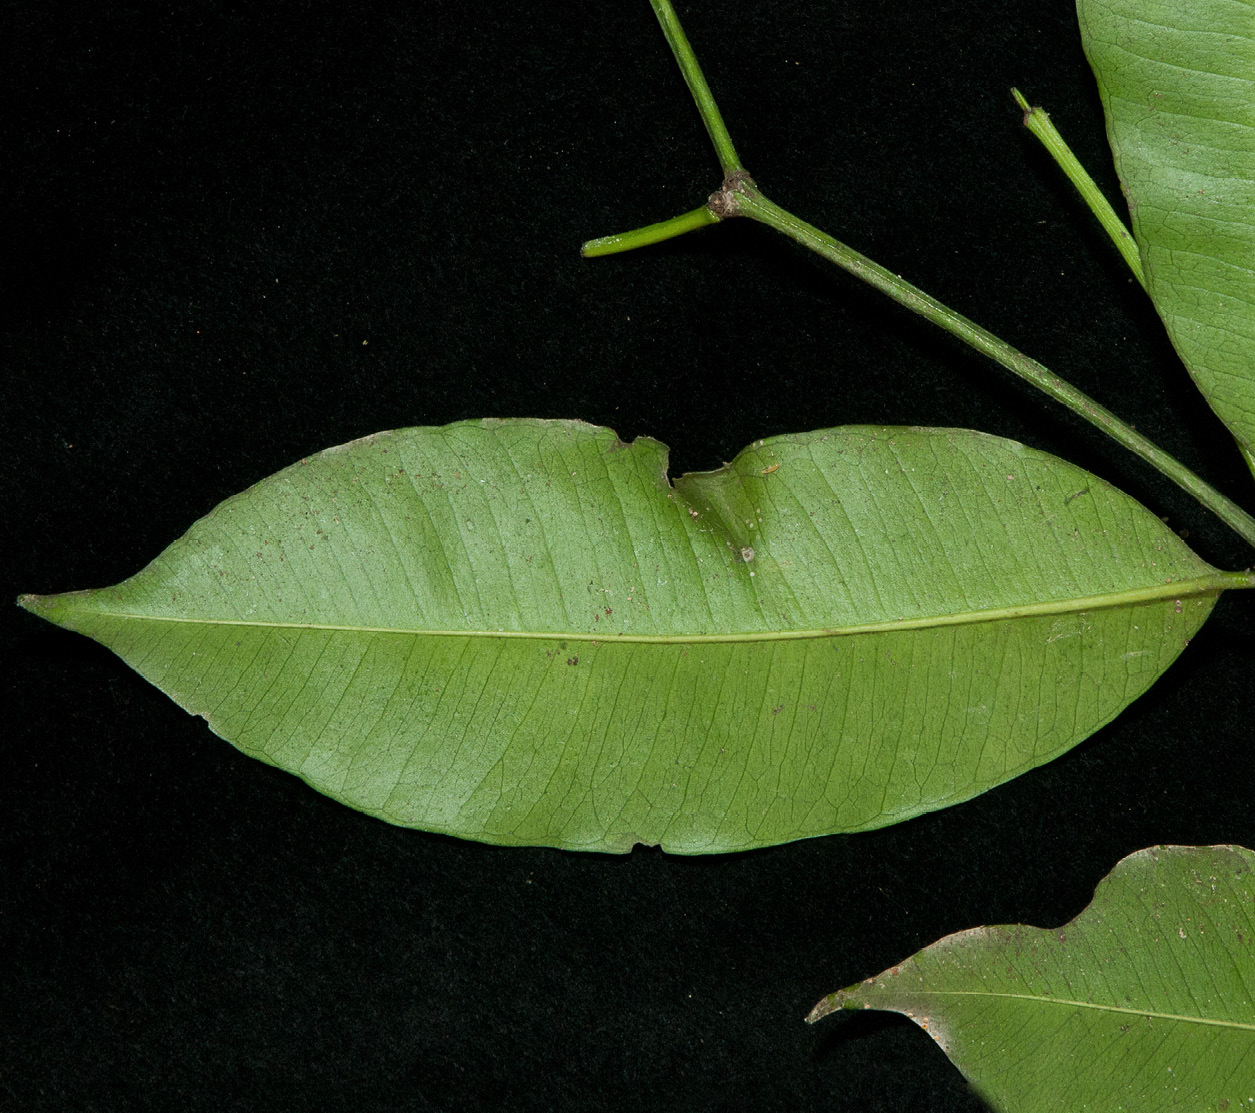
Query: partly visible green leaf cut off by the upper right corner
x,y
1178,83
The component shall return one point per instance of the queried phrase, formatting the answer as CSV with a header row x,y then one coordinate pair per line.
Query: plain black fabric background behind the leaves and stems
x,y
239,234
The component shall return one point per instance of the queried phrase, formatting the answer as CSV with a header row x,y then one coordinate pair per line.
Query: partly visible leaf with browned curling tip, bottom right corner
x,y
1144,1003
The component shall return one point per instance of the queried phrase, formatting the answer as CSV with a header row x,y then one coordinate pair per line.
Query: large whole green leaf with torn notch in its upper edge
x,y
520,632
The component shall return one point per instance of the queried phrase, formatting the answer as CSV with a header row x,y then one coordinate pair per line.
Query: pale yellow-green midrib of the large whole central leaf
x,y
1185,589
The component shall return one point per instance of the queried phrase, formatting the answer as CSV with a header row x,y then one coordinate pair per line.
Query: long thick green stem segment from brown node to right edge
x,y
754,205
